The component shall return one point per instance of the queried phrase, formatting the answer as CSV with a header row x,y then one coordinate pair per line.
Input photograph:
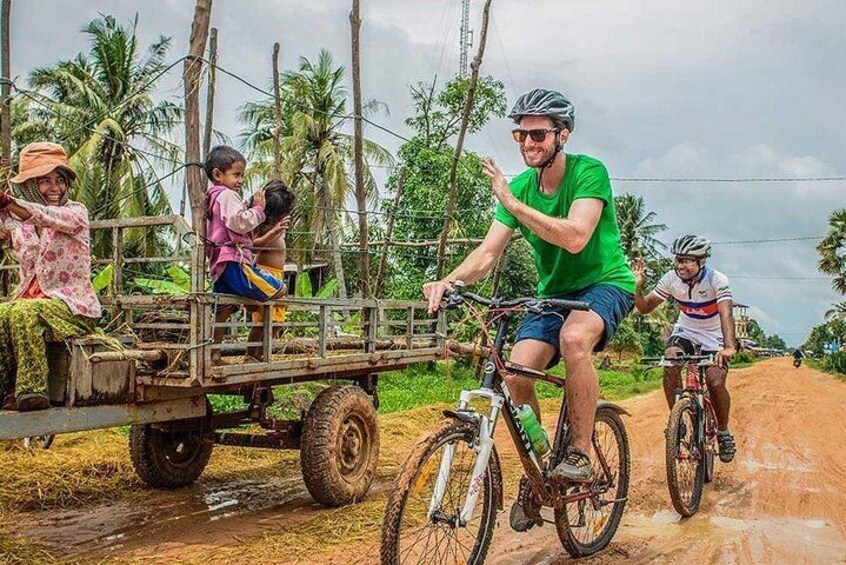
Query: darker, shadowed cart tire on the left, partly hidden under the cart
x,y
169,458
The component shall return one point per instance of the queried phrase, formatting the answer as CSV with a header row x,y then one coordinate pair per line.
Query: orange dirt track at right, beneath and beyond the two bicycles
x,y
782,500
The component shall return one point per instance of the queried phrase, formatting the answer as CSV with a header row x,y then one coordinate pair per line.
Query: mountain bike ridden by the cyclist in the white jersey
x,y
691,434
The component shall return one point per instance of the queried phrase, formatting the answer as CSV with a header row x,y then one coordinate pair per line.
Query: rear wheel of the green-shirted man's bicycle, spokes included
x,y
588,525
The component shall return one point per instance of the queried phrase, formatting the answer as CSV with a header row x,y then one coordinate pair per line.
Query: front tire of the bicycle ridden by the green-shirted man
x,y
413,477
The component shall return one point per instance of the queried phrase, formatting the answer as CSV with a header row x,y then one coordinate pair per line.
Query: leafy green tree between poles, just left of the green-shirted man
x,y
424,164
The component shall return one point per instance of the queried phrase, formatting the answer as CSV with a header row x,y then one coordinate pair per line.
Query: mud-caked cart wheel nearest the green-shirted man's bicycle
x,y
339,447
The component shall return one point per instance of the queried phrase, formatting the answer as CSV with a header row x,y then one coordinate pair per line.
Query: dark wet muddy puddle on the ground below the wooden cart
x,y
165,516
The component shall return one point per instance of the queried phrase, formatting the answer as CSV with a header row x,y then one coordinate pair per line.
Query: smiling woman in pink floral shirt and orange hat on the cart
x,y
55,300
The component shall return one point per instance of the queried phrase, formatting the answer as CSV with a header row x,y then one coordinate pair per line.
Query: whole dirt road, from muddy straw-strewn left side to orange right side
x,y
783,499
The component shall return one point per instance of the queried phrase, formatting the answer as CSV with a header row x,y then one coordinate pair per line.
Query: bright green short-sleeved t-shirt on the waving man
x,y
602,259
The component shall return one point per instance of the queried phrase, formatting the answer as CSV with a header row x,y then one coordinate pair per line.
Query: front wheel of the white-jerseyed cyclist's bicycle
x,y
684,455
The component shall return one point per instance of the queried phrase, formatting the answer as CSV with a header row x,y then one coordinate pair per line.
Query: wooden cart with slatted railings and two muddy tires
x,y
159,381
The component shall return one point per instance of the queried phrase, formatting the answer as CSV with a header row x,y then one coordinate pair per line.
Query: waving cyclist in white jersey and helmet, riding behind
x,y
705,324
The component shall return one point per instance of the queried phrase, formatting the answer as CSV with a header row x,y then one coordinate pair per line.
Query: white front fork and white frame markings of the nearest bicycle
x,y
483,448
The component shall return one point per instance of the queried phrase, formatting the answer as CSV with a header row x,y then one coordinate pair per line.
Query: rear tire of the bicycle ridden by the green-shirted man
x,y
574,537
